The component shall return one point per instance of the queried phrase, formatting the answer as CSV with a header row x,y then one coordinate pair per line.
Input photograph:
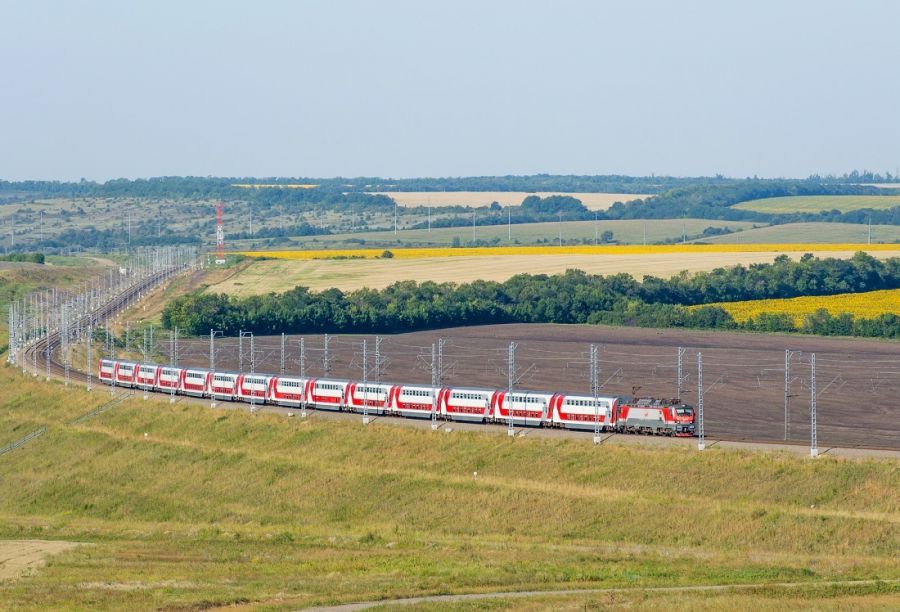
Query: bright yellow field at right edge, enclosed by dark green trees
x,y
865,305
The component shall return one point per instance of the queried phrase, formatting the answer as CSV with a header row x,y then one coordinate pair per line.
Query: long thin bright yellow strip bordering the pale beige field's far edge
x,y
625,249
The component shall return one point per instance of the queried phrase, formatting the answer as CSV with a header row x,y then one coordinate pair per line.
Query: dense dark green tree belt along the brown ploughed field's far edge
x,y
572,297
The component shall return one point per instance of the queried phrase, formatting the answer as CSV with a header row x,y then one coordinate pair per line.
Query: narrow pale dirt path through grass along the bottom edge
x,y
562,593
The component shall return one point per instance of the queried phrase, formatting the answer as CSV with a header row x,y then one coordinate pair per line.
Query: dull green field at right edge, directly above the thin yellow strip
x,y
824,233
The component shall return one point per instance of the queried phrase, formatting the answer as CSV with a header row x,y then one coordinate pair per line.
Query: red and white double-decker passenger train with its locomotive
x,y
641,415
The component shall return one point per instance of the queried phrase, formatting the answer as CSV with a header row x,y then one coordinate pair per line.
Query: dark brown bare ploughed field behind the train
x,y
743,373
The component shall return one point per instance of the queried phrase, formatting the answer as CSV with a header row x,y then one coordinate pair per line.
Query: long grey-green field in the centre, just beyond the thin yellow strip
x,y
626,232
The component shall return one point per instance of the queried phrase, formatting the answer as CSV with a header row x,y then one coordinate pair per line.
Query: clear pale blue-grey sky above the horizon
x,y
309,88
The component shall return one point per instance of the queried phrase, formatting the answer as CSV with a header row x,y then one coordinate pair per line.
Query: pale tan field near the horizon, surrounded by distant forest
x,y
592,201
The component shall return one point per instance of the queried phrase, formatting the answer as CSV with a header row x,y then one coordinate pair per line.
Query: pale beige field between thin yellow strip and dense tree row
x,y
348,274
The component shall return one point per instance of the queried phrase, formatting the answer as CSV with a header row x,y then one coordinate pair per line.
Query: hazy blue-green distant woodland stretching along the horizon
x,y
351,198
